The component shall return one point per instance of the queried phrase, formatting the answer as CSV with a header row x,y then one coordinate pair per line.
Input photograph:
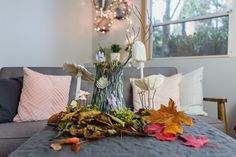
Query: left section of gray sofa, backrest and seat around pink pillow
x,y
14,134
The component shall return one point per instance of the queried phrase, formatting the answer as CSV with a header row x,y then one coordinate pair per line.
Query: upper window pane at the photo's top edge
x,y
168,10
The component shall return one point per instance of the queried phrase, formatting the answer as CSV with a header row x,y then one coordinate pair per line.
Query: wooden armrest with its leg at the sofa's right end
x,y
220,109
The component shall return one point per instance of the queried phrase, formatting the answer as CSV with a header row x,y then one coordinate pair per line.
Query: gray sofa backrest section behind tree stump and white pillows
x,y
130,72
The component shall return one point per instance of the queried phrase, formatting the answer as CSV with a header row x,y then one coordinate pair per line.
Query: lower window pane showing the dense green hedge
x,y
196,38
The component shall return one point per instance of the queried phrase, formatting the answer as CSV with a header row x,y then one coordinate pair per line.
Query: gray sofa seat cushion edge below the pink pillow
x,y
14,130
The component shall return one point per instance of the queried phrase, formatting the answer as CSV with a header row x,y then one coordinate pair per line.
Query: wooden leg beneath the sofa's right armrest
x,y
222,114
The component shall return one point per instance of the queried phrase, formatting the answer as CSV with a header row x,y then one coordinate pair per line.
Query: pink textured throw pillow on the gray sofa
x,y
42,95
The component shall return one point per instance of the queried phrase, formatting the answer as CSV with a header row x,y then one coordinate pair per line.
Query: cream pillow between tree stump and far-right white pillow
x,y
169,88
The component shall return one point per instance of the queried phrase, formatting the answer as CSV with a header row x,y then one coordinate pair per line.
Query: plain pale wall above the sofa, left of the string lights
x,y
45,32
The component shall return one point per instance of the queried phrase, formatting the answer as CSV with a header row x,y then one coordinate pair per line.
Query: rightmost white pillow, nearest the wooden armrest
x,y
191,93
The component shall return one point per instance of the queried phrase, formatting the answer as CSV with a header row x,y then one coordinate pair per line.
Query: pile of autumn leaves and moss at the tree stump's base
x,y
85,123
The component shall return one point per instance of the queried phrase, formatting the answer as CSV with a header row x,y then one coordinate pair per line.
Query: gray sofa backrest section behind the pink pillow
x,y
11,72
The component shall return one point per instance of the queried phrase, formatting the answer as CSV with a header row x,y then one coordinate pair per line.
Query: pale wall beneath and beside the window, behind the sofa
x,y
219,73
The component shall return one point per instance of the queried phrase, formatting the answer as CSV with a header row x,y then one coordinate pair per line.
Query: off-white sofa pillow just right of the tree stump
x,y
161,90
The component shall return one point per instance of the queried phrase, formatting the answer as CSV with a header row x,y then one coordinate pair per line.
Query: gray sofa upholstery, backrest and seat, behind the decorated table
x,y
14,134
